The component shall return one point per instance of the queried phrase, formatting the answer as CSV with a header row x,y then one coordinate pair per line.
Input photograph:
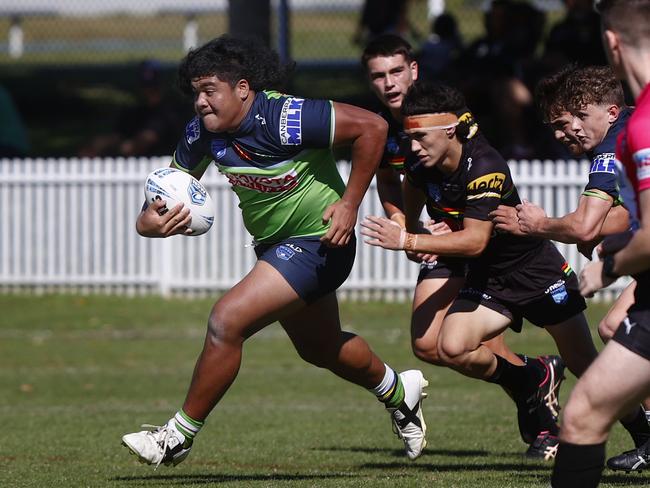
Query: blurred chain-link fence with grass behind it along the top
x,y
109,31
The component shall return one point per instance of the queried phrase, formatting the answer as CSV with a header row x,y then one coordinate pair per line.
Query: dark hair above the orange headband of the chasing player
x,y
430,97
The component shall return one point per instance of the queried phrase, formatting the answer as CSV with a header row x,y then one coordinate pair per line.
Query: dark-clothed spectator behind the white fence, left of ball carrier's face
x,y
147,129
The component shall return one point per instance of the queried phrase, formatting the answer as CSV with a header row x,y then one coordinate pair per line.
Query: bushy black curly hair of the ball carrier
x,y
232,59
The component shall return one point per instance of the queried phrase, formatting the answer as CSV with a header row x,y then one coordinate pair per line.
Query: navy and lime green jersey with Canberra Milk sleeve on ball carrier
x,y
279,163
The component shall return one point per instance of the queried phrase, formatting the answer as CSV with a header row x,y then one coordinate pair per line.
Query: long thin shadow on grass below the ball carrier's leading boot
x,y
201,479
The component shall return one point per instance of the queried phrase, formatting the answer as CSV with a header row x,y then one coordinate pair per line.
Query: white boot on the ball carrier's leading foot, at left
x,y
159,445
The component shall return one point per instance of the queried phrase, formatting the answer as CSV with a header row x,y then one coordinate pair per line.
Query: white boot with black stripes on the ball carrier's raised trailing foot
x,y
408,421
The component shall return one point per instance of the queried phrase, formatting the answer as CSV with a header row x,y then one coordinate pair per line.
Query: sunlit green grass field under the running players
x,y
76,373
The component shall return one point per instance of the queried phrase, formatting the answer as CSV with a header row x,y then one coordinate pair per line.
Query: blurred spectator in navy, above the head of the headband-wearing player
x,y
441,49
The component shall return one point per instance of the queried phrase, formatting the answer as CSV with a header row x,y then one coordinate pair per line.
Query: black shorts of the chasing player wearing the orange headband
x,y
544,290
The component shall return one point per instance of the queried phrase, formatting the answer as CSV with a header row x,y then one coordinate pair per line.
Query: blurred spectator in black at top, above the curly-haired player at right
x,y
576,38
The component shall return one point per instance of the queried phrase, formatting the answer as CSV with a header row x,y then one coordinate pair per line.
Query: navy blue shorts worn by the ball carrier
x,y
312,269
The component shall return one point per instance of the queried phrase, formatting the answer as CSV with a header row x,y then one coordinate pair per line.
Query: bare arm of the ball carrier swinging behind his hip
x,y
366,133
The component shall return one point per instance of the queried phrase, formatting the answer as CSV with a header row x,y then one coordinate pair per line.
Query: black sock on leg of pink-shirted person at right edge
x,y
578,465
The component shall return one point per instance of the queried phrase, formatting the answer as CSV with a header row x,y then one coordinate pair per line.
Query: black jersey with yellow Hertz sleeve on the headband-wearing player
x,y
479,185
